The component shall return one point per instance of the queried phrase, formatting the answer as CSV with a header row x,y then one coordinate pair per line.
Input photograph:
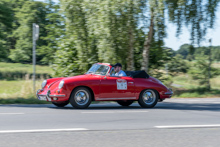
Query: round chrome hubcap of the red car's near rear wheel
x,y
149,97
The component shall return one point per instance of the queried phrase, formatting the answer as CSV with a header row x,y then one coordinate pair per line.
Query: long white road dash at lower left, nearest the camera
x,y
43,130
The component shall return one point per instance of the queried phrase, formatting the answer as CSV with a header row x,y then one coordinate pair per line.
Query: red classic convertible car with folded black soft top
x,y
98,85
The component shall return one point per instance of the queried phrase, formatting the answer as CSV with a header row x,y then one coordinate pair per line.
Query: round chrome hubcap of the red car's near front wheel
x,y
81,97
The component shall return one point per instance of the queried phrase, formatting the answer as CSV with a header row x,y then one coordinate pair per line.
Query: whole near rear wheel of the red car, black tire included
x,y
148,98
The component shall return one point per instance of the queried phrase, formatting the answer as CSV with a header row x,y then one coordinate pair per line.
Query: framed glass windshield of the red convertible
x,y
98,69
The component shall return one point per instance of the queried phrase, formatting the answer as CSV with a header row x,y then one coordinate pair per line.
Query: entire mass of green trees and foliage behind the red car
x,y
74,34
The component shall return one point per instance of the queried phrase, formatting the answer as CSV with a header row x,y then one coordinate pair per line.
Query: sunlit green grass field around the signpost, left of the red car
x,y
21,89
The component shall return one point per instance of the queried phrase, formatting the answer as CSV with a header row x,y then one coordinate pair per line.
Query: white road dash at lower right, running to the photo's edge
x,y
188,126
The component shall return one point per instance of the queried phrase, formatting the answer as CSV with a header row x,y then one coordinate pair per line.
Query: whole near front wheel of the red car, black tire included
x,y
81,98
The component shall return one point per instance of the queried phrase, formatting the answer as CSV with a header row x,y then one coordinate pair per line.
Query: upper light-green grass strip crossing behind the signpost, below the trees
x,y
28,68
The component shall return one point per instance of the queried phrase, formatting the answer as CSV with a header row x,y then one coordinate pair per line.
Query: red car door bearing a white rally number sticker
x,y
116,88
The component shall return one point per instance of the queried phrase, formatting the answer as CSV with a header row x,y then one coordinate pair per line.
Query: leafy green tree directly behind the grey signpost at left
x,y
47,17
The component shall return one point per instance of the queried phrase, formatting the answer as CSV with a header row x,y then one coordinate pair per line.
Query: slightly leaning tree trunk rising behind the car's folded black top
x,y
147,45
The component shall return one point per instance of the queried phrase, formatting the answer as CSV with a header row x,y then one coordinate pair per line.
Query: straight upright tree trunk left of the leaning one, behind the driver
x,y
130,59
